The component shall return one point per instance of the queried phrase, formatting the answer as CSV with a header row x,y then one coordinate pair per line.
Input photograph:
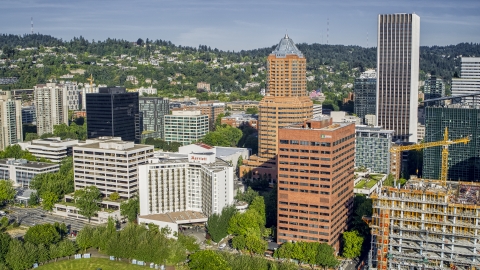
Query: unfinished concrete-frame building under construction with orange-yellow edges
x,y
426,225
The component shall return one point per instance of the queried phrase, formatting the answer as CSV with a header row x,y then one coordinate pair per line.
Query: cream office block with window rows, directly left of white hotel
x,y
110,164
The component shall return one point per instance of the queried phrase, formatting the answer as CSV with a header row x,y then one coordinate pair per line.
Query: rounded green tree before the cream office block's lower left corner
x,y
87,200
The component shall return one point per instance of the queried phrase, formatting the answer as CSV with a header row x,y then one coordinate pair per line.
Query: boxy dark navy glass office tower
x,y
113,112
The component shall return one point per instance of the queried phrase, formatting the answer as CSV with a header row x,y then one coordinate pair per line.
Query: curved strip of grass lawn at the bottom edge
x,y
92,263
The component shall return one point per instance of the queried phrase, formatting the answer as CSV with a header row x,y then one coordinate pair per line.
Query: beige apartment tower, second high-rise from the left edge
x,y
51,105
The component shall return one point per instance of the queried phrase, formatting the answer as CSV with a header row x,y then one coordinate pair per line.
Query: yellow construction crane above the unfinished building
x,y
445,143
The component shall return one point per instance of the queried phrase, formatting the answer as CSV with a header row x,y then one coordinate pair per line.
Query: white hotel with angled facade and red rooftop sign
x,y
194,182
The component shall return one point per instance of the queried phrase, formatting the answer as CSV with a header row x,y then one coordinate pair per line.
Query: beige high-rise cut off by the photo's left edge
x,y
10,120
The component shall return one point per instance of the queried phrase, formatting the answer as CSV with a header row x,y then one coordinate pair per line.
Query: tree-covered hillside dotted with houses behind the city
x,y
175,70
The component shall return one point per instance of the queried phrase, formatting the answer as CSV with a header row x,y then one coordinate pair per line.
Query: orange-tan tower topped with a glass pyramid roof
x,y
286,101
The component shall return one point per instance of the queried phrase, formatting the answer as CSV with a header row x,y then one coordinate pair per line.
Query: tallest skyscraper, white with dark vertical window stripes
x,y
398,50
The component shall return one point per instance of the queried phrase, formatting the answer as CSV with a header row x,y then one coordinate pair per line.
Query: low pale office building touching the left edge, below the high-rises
x,y
21,171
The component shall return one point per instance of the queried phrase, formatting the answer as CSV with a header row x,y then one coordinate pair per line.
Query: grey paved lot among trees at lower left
x,y
33,216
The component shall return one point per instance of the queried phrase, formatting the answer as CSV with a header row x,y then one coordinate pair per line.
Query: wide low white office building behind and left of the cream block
x,y
53,149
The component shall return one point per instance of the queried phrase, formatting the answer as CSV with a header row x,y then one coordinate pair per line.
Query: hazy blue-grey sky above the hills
x,y
239,24
